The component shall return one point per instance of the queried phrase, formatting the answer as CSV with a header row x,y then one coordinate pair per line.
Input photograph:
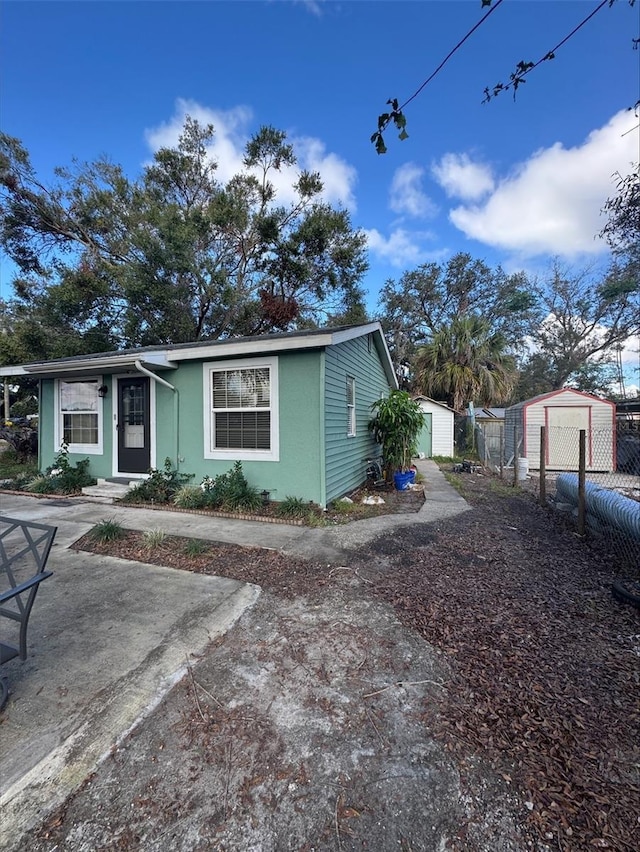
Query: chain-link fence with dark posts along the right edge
x,y
592,475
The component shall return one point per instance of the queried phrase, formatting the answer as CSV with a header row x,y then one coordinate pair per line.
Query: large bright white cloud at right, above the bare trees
x,y
551,203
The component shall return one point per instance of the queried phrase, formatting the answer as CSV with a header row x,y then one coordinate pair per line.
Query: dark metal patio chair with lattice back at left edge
x,y
24,550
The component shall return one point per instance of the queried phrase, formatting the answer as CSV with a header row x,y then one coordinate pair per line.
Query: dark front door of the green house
x,y
134,432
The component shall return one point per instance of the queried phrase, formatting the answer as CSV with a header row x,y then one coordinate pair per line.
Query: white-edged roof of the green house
x,y
168,356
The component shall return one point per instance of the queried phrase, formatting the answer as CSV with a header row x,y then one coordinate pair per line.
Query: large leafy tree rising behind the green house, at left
x,y
176,255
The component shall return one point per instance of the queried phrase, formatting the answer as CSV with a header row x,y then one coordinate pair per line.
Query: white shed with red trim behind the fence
x,y
564,413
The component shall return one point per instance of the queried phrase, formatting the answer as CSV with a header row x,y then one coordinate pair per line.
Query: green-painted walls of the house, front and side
x,y
317,460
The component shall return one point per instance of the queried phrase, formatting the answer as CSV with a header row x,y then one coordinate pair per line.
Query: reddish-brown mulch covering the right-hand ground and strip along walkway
x,y
545,662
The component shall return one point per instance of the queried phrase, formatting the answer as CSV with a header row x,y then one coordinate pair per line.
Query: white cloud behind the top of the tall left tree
x,y
232,130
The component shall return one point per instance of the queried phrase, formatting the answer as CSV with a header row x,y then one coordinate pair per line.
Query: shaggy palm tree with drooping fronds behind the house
x,y
465,361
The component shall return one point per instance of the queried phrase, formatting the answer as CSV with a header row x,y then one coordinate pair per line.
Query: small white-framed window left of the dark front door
x,y
79,421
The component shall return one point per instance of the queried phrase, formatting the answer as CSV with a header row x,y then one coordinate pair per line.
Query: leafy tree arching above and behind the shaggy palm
x,y
431,297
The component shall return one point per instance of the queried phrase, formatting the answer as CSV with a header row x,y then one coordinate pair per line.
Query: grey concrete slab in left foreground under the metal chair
x,y
108,638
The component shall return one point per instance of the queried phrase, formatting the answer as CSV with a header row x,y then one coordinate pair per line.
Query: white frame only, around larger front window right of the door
x,y
236,454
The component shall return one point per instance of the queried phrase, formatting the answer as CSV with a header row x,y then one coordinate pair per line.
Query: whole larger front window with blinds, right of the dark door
x,y
241,410
